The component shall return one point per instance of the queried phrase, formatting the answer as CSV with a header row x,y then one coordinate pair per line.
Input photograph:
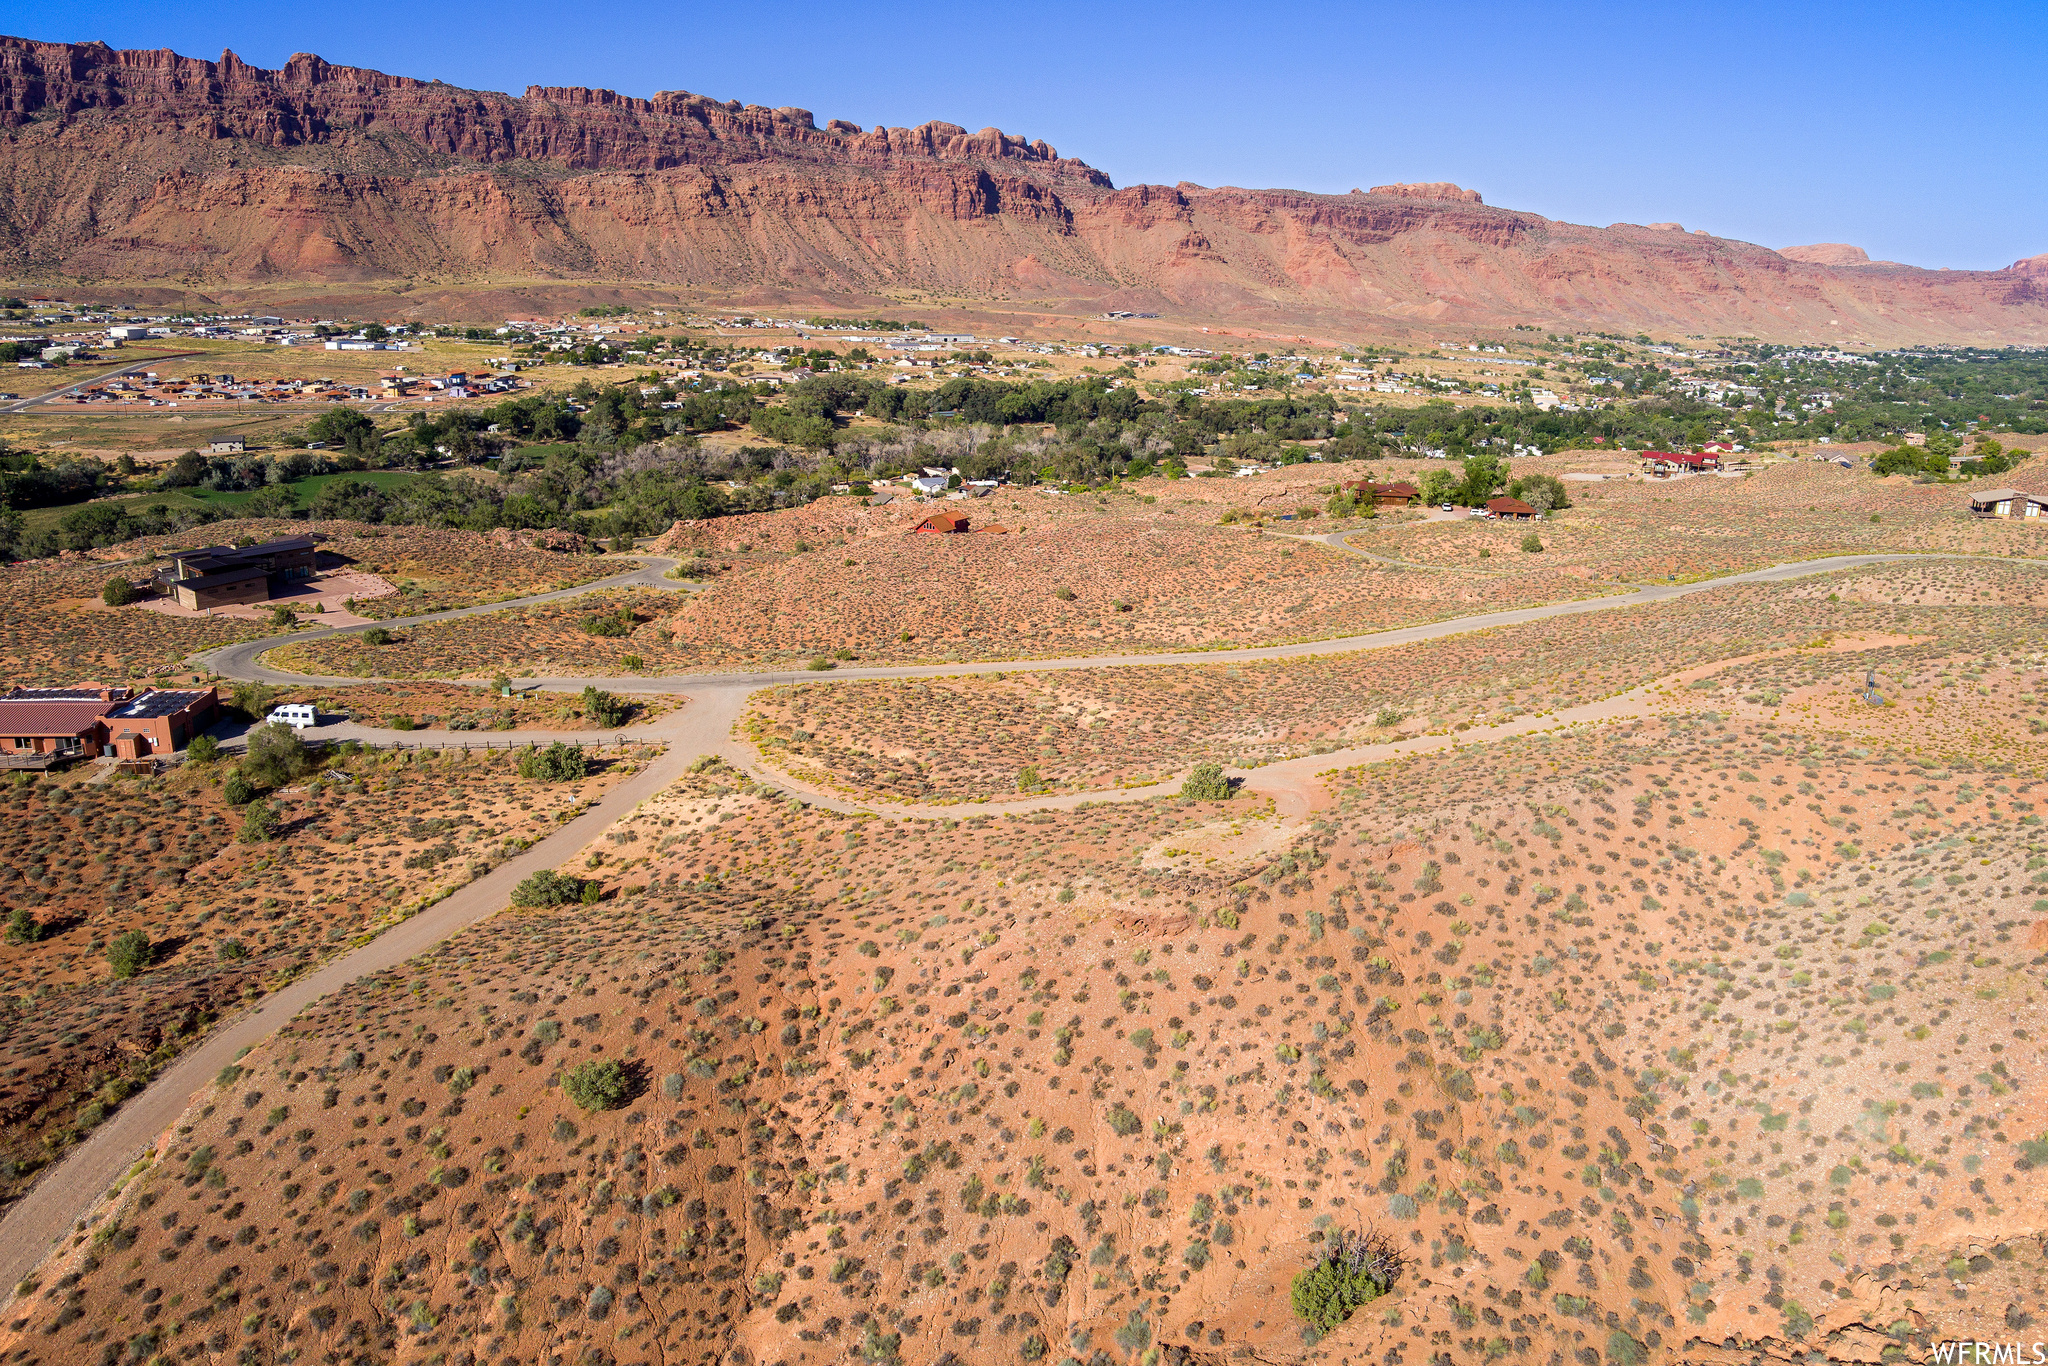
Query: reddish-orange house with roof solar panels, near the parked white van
x,y
42,726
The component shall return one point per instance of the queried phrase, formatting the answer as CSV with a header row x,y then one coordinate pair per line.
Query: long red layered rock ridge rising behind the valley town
x,y
153,169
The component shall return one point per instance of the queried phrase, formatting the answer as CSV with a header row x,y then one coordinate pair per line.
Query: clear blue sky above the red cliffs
x,y
1914,132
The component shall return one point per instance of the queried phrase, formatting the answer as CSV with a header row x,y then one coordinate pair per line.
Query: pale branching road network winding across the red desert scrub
x,y
703,726
